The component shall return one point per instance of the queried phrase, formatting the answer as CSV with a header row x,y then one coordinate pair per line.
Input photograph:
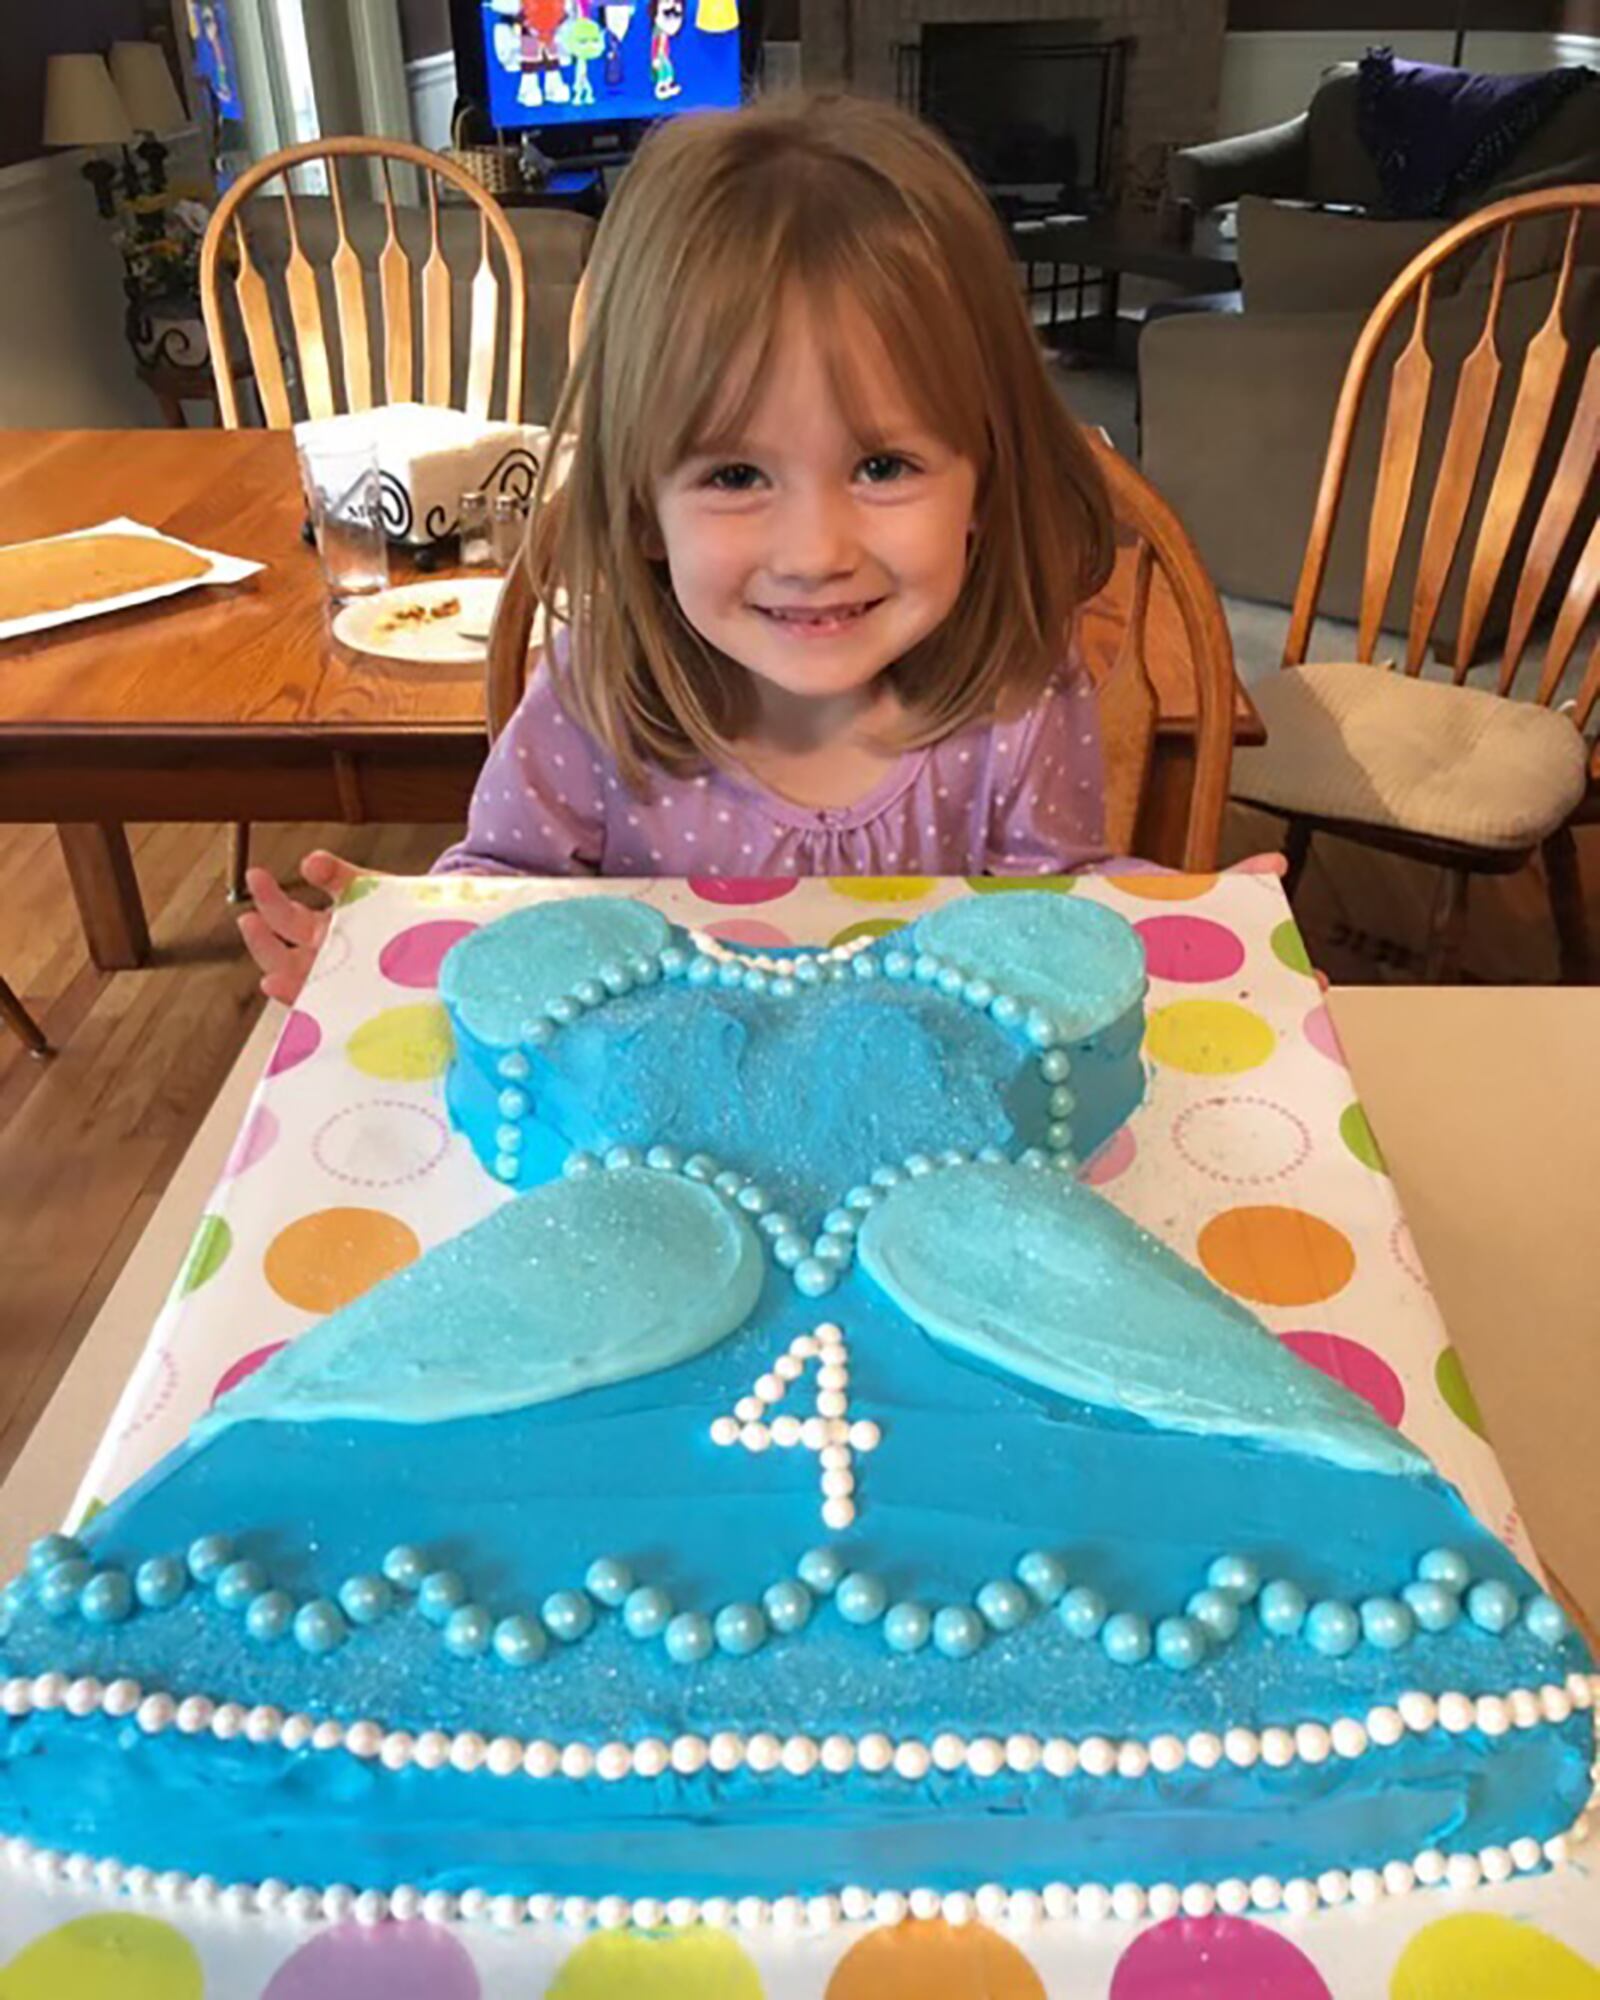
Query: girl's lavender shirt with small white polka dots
x,y
1023,797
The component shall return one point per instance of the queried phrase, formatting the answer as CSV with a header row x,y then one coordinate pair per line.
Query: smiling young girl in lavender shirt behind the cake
x,y
815,561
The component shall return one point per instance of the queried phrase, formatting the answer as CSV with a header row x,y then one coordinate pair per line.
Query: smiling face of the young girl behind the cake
x,y
807,553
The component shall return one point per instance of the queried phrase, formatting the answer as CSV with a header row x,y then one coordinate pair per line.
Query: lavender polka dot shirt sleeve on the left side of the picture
x,y
539,803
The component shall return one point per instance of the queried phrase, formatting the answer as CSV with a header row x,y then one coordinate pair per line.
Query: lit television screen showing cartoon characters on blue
x,y
575,63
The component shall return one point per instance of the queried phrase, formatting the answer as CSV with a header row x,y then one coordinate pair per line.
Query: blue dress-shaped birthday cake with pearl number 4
x,y
803,1497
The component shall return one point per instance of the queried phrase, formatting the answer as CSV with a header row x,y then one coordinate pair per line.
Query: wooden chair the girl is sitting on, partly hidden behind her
x,y
1127,695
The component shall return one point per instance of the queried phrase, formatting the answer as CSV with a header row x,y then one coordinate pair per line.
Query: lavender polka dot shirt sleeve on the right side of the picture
x,y
1049,789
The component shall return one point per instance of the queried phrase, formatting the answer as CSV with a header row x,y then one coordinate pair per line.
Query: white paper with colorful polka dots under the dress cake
x,y
1251,1157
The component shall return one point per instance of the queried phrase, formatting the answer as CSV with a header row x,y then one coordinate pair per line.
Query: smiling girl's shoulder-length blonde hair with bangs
x,y
717,227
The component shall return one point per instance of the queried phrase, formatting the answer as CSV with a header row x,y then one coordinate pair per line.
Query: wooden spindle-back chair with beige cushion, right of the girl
x,y
1535,547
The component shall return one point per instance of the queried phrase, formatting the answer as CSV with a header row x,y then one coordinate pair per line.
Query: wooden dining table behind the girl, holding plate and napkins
x,y
239,705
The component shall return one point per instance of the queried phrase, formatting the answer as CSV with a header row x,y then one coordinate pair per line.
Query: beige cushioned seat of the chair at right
x,y
1419,757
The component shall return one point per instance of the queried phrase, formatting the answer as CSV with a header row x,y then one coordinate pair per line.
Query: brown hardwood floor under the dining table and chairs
x,y
91,1139
